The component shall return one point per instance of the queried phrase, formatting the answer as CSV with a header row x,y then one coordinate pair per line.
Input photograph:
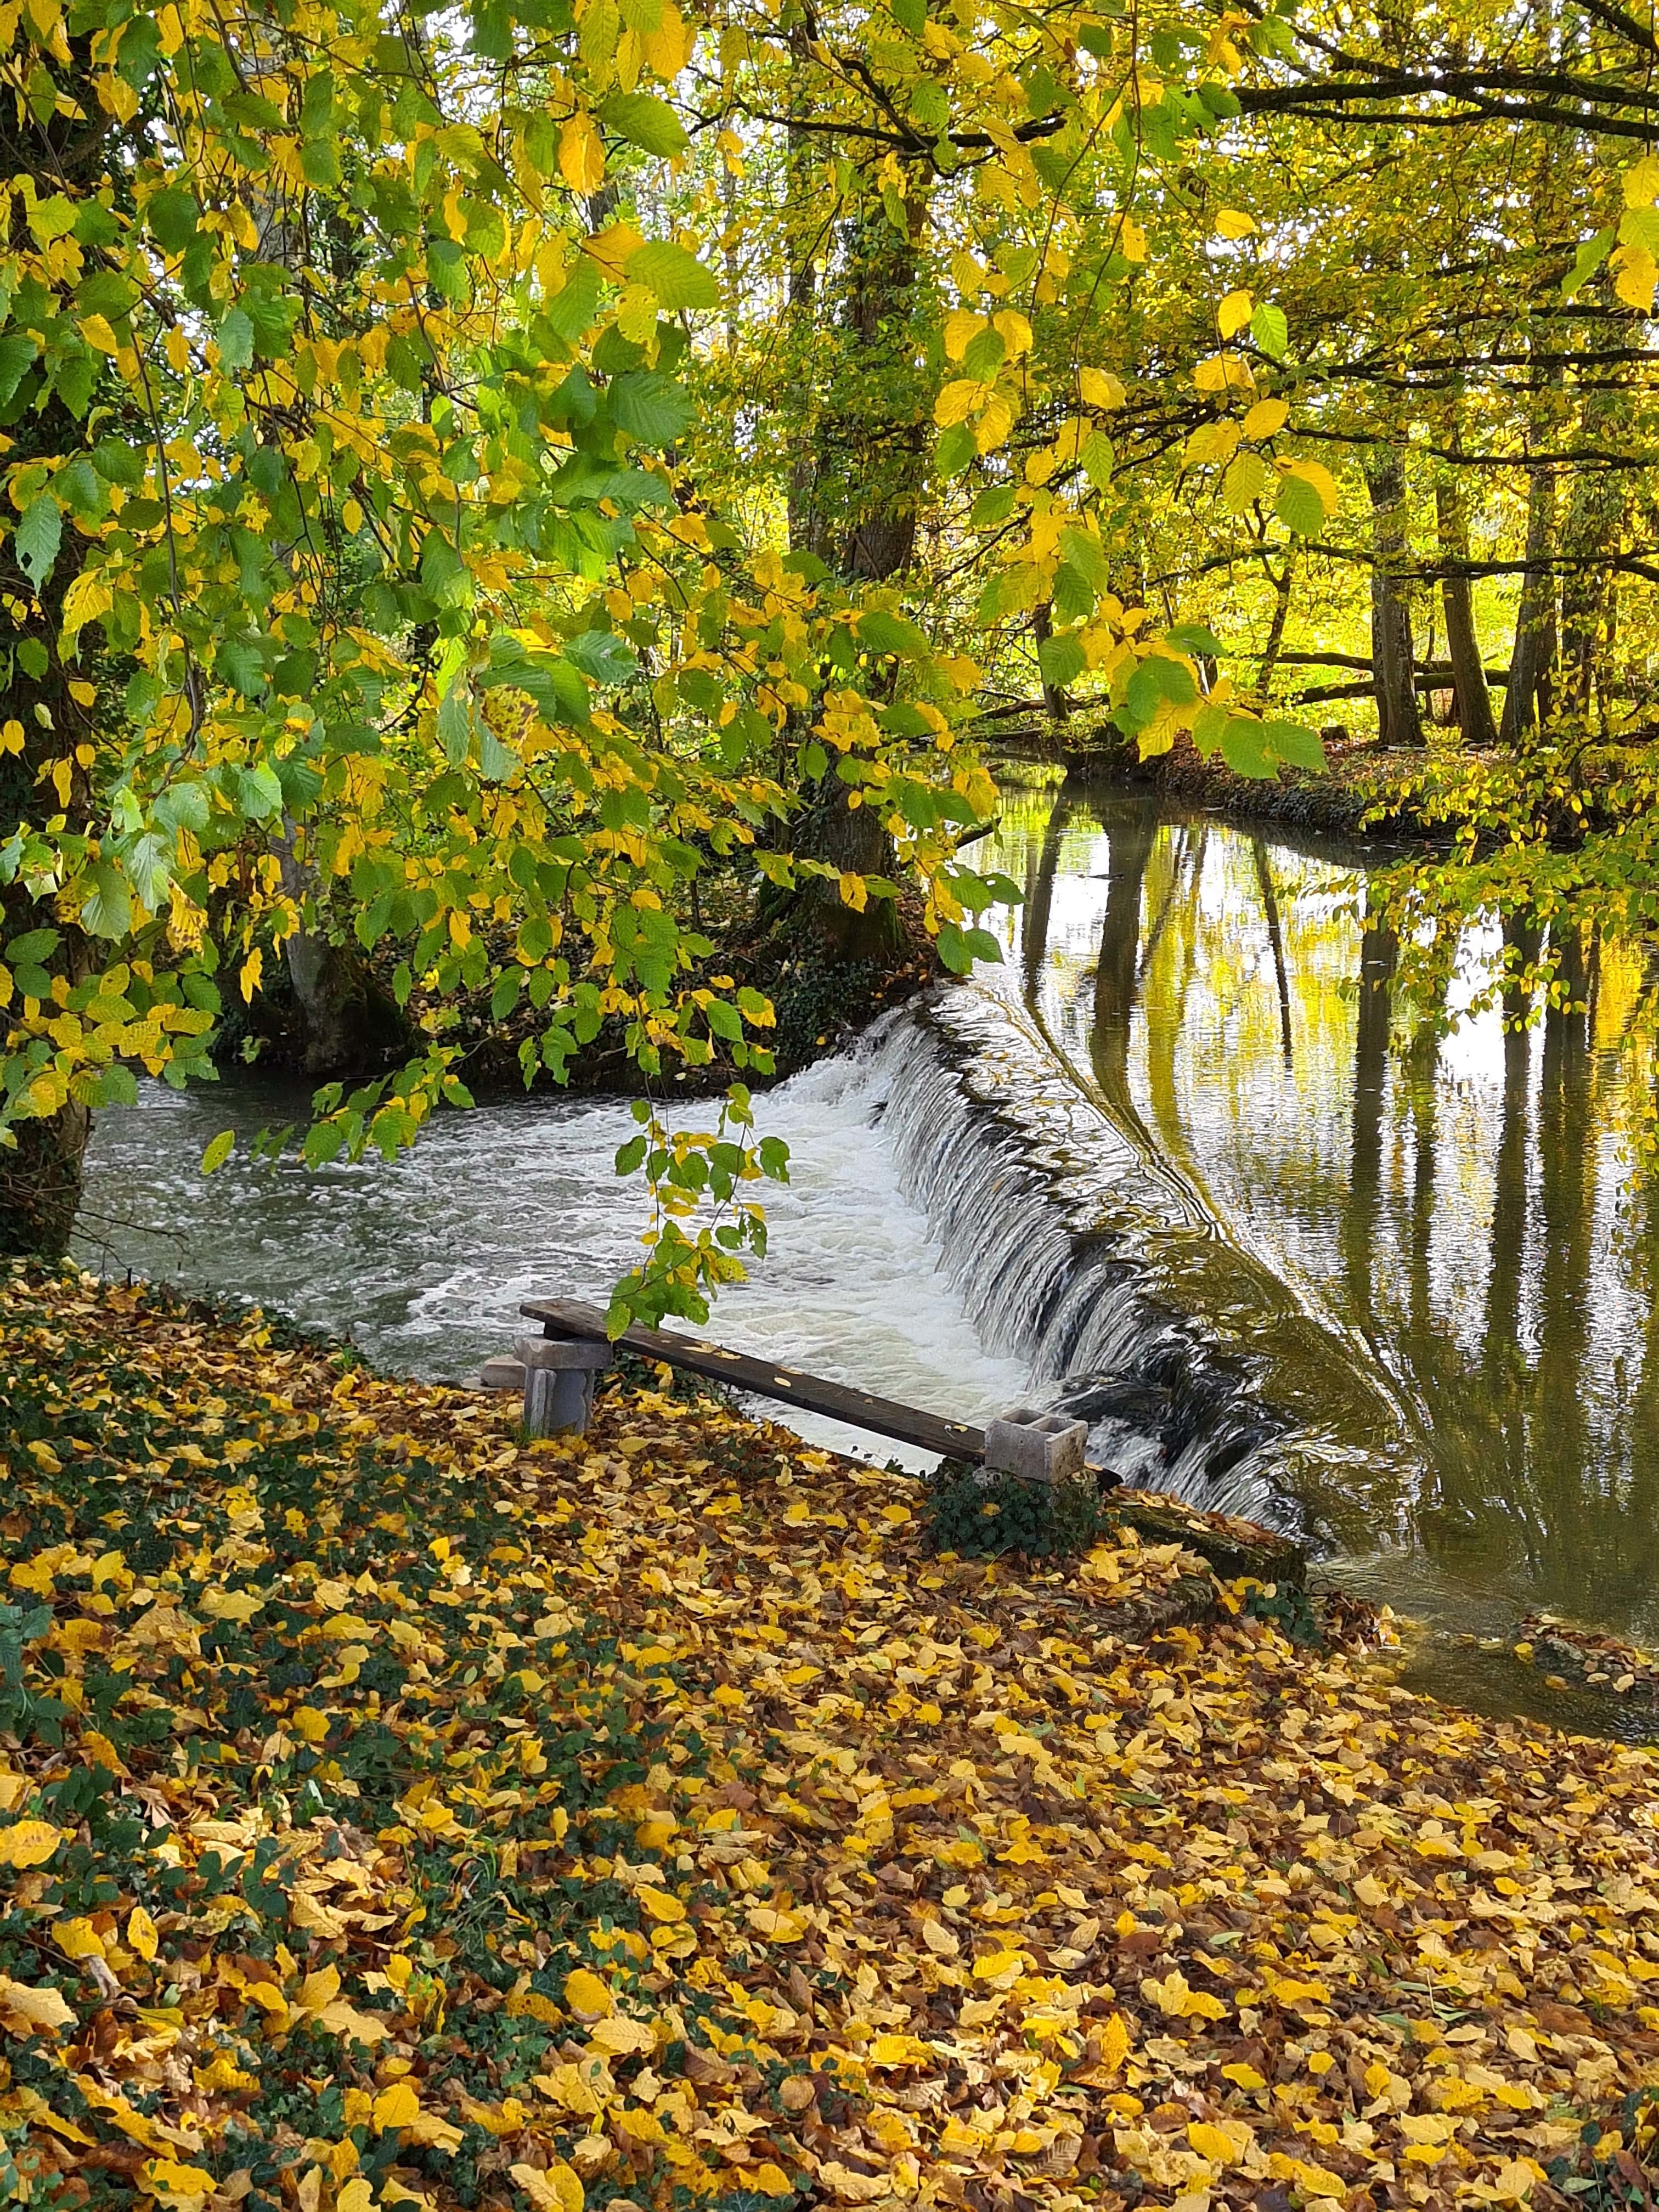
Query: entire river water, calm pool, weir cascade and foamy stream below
x,y
1187,1165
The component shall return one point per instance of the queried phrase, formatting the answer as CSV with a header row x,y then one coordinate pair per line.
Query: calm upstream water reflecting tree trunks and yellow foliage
x,y
1450,1204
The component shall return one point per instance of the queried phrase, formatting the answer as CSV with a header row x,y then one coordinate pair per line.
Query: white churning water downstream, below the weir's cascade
x,y
424,1262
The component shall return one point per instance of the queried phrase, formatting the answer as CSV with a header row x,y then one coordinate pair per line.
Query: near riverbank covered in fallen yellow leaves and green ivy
x,y
395,1813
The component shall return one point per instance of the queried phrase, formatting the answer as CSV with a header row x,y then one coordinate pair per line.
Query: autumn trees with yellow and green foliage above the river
x,y
503,503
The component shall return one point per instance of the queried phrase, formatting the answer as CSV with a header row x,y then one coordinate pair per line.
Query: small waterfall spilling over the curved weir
x,y
1193,1364
